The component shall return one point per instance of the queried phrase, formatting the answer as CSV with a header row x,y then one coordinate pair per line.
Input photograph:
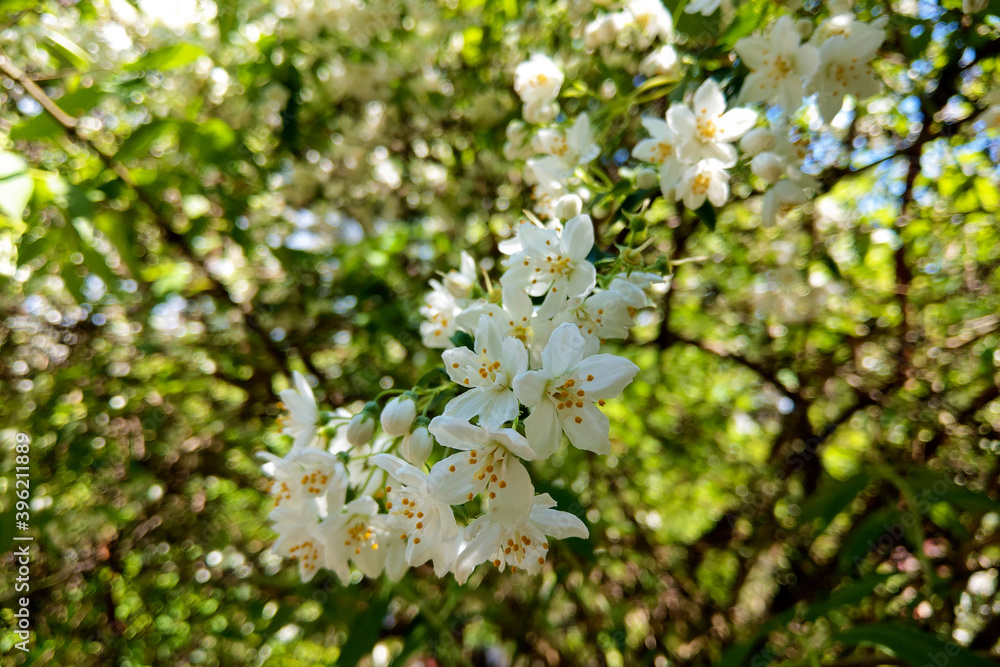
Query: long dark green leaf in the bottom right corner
x,y
911,645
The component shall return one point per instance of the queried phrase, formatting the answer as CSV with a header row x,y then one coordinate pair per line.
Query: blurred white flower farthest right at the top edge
x,y
845,69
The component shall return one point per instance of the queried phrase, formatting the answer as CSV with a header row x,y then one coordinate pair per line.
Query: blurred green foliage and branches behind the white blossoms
x,y
803,473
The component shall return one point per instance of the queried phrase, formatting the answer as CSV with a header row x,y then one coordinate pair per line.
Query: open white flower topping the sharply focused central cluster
x,y
552,263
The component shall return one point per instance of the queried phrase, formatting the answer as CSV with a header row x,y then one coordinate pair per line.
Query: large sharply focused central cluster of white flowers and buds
x,y
532,371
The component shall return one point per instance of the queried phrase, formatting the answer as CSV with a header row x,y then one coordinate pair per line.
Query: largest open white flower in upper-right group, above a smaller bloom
x,y
709,130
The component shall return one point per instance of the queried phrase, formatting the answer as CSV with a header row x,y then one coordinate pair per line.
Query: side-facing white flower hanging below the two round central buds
x,y
420,515
